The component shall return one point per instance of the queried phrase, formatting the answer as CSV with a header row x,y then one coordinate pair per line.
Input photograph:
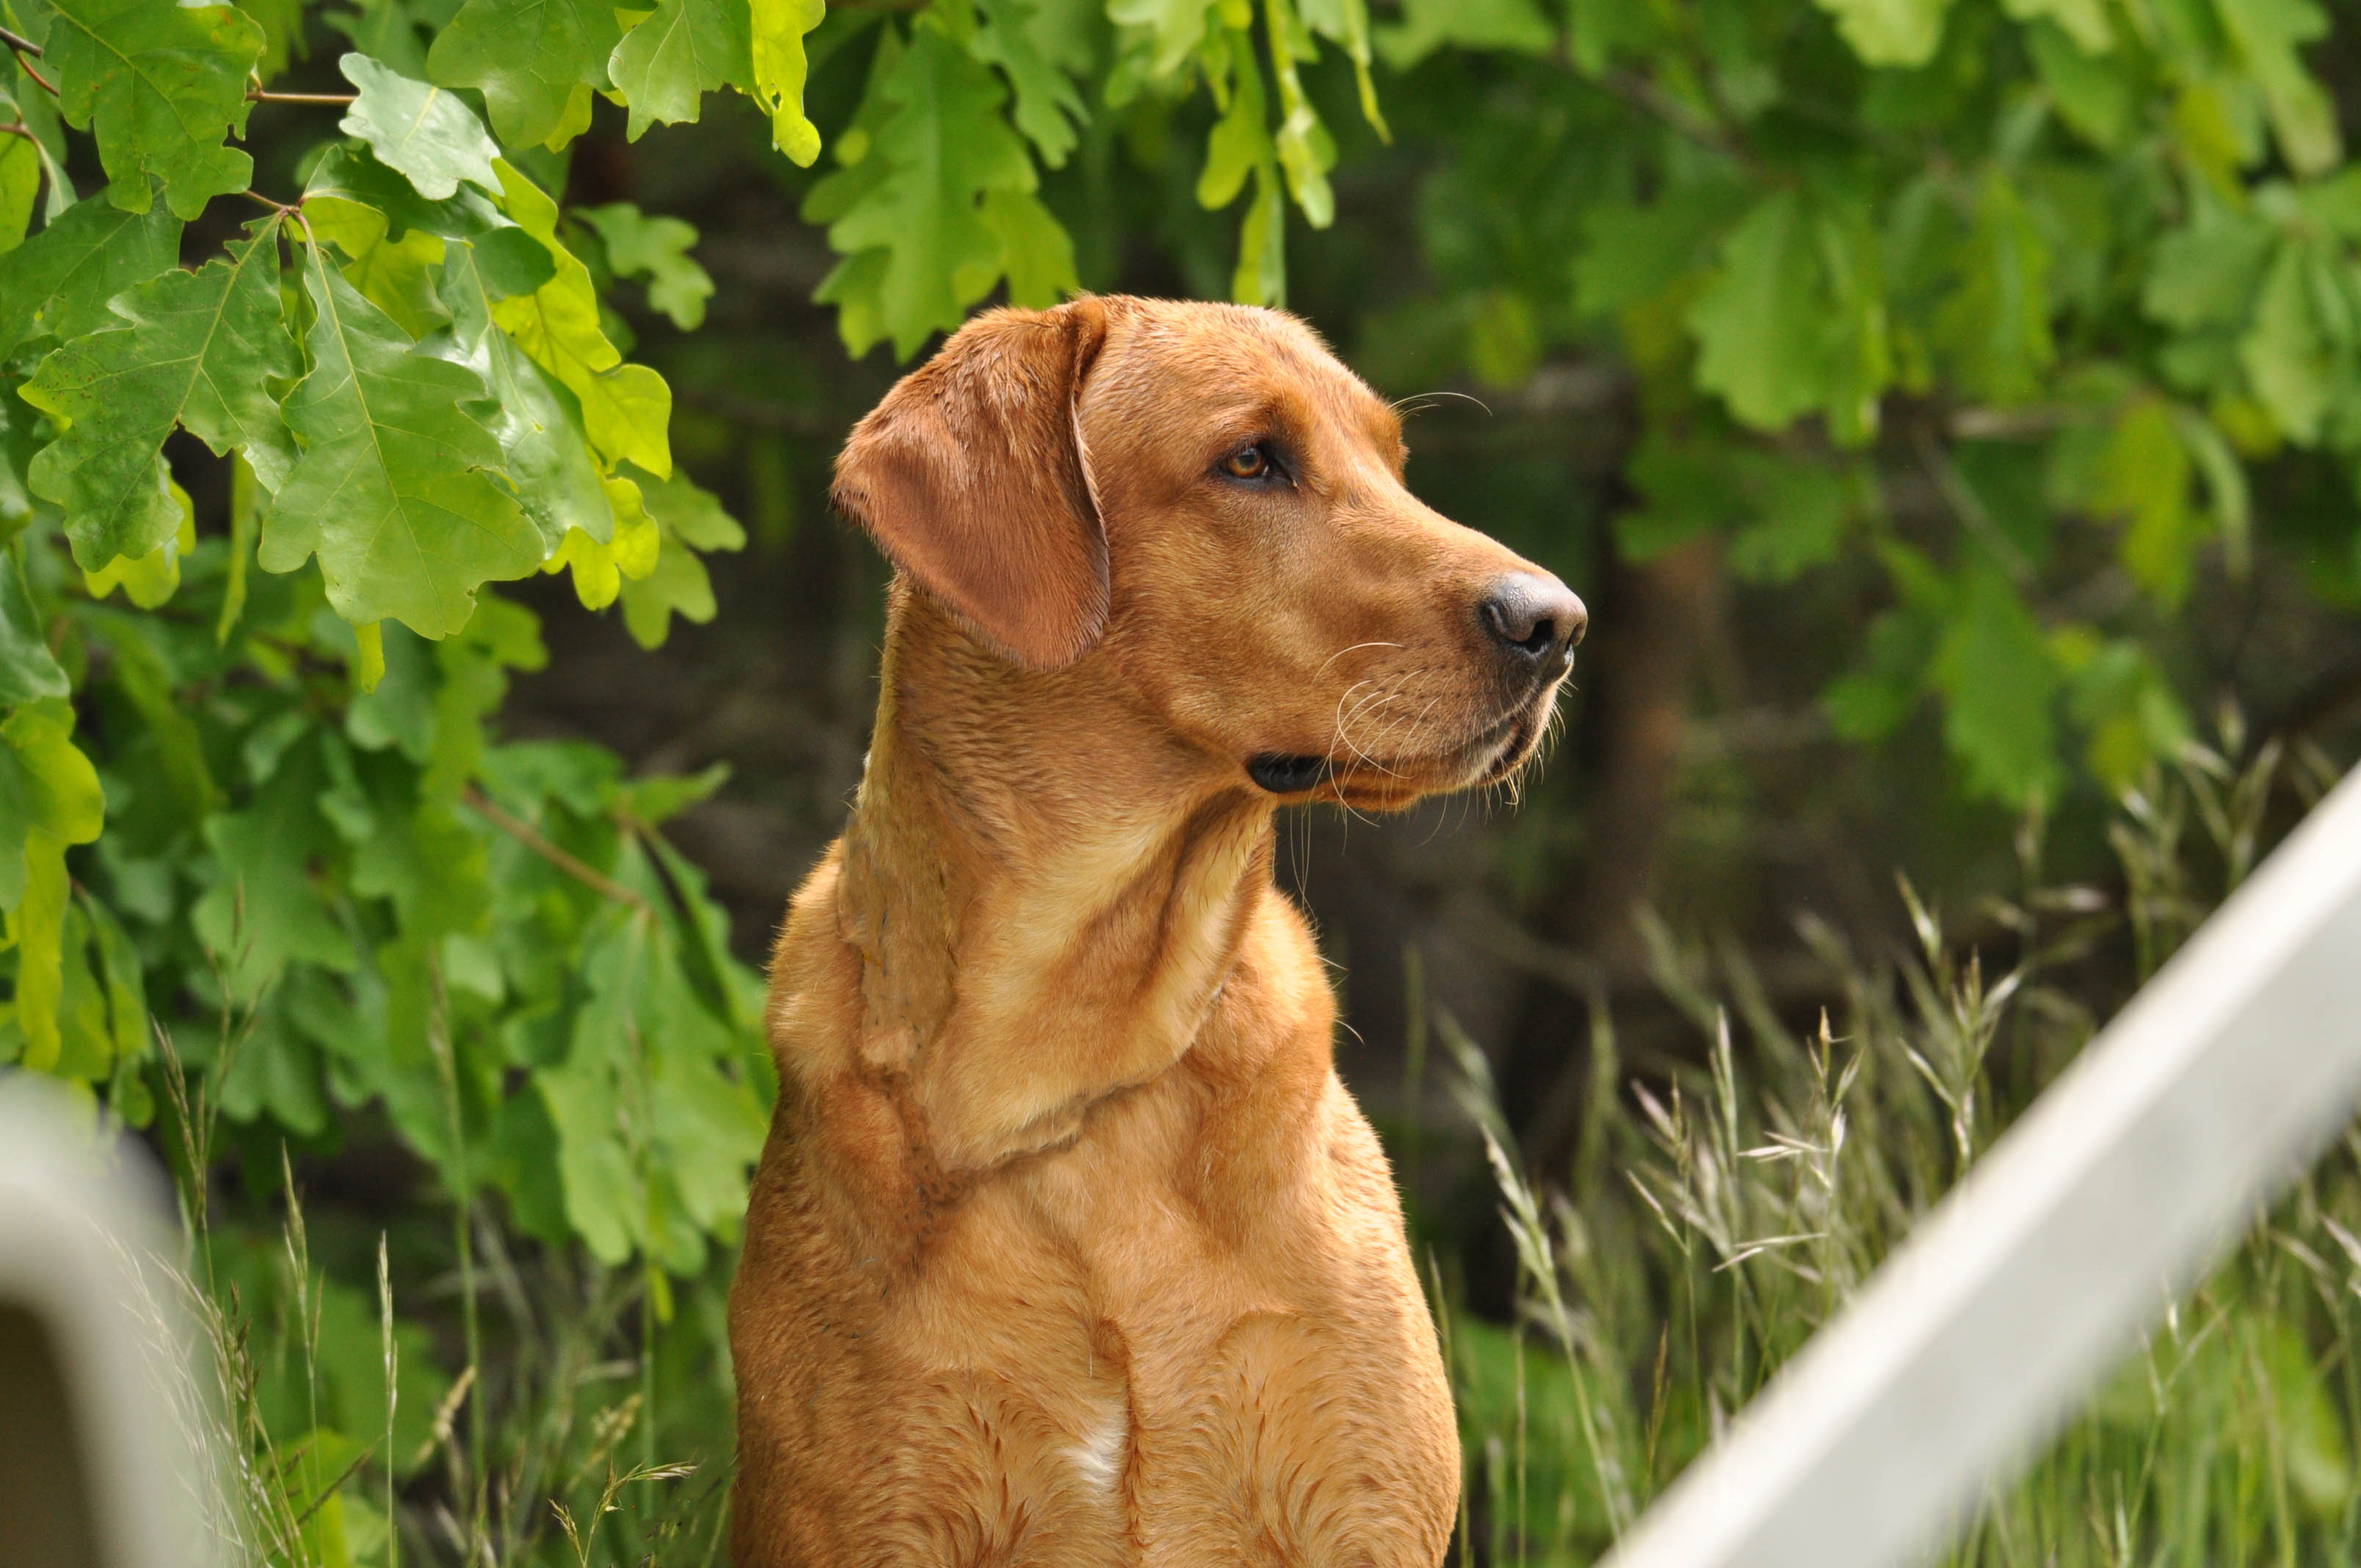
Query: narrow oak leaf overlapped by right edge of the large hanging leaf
x,y
535,422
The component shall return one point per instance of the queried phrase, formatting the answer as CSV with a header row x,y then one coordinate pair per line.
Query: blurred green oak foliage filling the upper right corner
x,y
2034,273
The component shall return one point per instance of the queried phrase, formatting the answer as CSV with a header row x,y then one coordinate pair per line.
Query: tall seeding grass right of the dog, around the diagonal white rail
x,y
1715,1220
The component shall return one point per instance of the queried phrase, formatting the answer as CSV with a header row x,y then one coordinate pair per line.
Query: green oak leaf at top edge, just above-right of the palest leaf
x,y
528,58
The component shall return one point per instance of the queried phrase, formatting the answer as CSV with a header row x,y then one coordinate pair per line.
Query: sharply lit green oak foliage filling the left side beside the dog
x,y
289,802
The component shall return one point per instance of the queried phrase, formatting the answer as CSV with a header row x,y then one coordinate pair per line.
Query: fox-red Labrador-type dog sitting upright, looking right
x,y
1068,1246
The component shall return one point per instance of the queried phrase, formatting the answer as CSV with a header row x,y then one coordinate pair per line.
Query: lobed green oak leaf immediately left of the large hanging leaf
x,y
200,353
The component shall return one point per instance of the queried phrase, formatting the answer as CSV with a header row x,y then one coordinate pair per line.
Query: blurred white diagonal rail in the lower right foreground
x,y
2204,1099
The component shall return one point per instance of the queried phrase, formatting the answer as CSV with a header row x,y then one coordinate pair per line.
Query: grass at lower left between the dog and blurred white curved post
x,y
339,1437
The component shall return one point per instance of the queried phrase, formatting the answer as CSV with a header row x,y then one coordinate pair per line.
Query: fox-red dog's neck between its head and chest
x,y
1047,891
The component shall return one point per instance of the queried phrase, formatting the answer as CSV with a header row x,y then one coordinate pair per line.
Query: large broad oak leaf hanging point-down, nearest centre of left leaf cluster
x,y
395,488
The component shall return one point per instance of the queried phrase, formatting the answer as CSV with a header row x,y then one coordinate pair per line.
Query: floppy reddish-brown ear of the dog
x,y
974,481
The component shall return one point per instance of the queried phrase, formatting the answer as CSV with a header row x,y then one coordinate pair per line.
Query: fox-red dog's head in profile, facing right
x,y
1201,502
